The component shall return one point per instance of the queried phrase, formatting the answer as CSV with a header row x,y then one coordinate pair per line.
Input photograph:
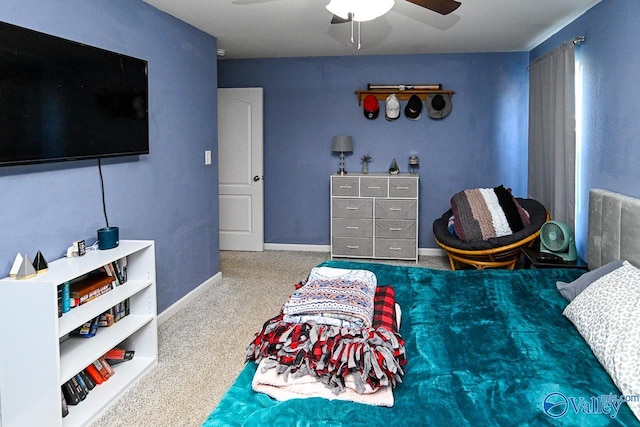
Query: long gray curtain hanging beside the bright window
x,y
552,136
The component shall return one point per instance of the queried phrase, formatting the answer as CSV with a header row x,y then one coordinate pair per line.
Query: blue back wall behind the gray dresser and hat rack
x,y
307,101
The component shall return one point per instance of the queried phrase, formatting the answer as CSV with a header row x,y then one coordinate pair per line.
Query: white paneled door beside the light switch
x,y
240,169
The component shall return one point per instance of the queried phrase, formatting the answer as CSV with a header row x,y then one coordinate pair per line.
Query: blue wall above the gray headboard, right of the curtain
x,y
610,58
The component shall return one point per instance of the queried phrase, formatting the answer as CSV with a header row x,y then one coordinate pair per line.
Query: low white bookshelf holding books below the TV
x,y
38,356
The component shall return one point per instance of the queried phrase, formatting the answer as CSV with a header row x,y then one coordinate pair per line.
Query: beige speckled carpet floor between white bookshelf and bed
x,y
201,349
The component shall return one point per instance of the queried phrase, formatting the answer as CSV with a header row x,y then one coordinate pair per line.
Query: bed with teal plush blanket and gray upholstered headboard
x,y
488,347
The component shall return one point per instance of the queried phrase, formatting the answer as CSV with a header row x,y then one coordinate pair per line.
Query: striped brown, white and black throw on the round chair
x,y
485,213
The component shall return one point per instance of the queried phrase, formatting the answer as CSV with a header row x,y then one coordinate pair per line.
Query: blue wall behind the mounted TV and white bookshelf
x,y
169,196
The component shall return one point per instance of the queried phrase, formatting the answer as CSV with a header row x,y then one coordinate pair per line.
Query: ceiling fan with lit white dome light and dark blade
x,y
371,10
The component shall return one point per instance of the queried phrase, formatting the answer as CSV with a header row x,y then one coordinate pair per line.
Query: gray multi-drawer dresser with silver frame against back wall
x,y
374,216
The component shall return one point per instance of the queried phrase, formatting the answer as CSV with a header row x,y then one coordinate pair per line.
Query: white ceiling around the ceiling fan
x,y
298,28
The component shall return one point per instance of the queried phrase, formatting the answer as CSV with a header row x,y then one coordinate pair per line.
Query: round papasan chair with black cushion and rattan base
x,y
471,218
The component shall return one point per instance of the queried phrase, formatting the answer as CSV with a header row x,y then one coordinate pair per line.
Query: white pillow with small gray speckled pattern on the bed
x,y
607,315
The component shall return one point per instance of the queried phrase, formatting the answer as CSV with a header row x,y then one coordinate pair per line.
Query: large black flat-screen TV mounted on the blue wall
x,y
63,100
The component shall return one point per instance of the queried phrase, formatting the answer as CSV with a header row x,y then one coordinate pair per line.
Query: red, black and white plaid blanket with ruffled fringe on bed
x,y
374,356
